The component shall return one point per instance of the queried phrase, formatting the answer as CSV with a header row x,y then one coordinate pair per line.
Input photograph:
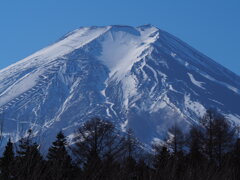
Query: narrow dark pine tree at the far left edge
x,y
7,161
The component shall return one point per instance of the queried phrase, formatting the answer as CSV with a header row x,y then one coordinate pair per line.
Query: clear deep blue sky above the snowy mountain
x,y
211,26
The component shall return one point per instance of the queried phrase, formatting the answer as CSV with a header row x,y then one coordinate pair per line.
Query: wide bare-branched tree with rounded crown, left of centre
x,y
97,141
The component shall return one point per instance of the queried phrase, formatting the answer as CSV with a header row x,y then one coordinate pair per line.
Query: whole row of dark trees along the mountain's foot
x,y
99,151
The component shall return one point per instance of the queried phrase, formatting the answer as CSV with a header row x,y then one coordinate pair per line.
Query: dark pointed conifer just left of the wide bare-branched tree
x,y
59,162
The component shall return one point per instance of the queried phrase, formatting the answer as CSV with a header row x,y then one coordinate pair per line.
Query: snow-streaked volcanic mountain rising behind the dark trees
x,y
141,78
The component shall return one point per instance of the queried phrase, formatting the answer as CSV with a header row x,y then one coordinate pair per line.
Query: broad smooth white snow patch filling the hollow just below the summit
x,y
126,49
